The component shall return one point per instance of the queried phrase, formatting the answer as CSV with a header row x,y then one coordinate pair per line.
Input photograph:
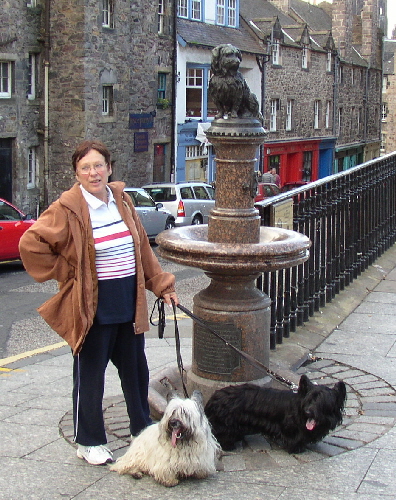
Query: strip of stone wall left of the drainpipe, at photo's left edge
x,y
19,116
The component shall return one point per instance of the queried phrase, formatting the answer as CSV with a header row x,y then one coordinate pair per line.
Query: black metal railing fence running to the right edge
x,y
350,219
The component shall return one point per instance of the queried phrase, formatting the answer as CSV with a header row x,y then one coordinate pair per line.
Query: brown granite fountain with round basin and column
x,y
233,249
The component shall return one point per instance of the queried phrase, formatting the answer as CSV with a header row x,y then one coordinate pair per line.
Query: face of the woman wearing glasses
x,y
92,172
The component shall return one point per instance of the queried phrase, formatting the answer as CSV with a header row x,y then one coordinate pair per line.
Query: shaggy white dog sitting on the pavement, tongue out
x,y
180,445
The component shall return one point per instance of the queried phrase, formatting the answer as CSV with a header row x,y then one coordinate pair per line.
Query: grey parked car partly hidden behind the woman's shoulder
x,y
155,218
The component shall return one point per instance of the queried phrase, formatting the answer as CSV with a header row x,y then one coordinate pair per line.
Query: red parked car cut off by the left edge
x,y
13,223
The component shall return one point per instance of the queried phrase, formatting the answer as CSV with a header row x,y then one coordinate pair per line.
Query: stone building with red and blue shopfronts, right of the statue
x,y
322,95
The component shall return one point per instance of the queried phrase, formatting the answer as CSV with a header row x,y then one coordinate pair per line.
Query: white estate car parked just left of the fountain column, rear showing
x,y
189,202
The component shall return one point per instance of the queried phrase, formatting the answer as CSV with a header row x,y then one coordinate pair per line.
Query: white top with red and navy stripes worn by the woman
x,y
115,252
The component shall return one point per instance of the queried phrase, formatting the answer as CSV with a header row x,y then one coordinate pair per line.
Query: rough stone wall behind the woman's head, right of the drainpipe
x,y
85,55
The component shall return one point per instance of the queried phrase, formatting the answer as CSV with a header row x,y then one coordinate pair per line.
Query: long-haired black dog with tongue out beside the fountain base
x,y
291,419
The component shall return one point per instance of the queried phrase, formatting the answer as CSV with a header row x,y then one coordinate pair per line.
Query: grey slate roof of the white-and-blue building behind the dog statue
x,y
196,33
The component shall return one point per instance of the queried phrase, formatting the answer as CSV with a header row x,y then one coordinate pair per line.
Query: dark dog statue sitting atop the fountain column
x,y
227,87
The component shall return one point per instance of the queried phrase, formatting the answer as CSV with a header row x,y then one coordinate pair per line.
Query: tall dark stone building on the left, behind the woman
x,y
84,69
